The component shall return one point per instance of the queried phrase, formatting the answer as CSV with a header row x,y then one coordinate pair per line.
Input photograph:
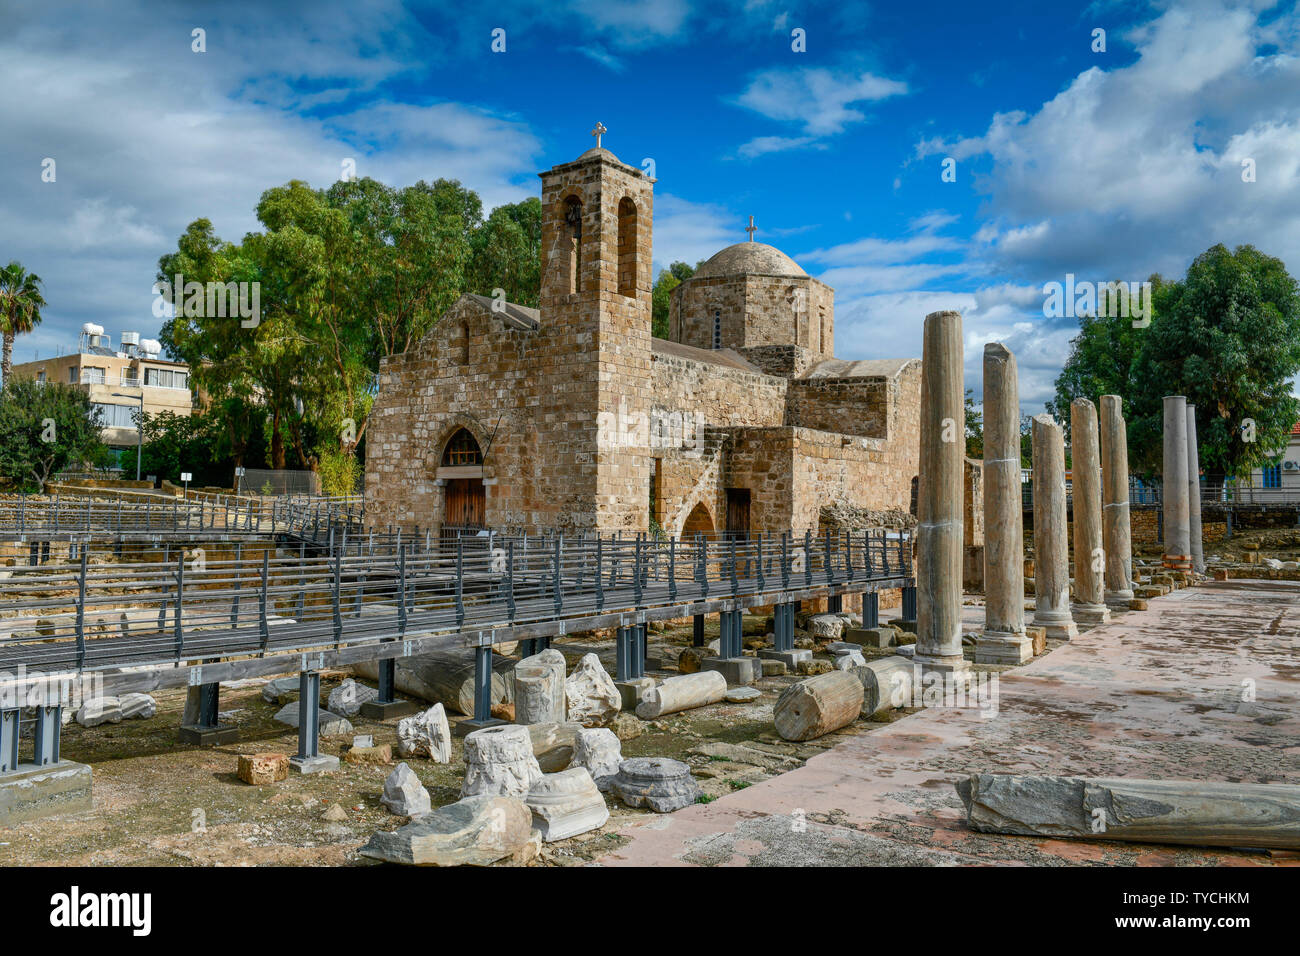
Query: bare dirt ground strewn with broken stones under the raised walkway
x,y
159,802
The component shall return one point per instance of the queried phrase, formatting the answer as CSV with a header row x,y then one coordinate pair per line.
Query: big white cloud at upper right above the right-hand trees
x,y
1138,170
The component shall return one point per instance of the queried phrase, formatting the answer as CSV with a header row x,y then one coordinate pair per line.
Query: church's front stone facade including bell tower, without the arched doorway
x,y
536,399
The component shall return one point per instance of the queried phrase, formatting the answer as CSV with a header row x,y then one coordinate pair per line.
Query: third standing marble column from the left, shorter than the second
x,y
1051,535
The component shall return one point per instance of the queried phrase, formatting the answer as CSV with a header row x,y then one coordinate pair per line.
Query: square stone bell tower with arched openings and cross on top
x,y
596,315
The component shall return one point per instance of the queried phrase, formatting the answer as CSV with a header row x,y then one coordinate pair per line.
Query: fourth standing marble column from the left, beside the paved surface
x,y
1090,557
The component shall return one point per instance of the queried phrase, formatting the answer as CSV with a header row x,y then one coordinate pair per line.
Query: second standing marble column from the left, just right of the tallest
x,y
1004,639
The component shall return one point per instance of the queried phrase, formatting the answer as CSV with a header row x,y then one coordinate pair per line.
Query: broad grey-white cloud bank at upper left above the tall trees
x,y
149,137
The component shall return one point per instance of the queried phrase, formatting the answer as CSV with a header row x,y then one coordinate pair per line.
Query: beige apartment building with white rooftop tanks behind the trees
x,y
119,382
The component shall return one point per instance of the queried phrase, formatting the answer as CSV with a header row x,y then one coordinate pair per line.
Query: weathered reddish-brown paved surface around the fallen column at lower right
x,y
1155,694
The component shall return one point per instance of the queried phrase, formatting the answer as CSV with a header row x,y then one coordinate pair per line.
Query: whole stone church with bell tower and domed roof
x,y
573,417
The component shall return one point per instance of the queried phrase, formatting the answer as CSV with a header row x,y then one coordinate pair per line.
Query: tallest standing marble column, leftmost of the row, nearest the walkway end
x,y
939,504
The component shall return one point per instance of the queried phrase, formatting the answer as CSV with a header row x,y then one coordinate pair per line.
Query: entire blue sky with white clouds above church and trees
x,y
1103,165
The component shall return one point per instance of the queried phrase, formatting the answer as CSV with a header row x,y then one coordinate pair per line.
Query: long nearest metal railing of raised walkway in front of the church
x,y
185,605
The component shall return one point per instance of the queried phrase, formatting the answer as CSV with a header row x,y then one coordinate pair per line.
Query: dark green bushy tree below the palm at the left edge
x,y
45,429
